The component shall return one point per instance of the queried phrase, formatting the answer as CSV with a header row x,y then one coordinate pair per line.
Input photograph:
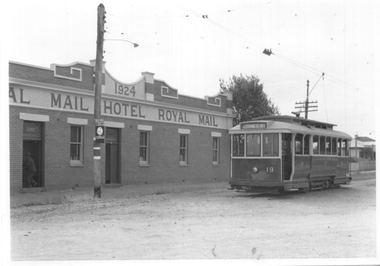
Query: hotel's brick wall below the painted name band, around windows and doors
x,y
164,152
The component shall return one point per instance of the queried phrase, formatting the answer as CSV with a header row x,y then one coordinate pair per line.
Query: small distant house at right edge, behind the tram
x,y
363,147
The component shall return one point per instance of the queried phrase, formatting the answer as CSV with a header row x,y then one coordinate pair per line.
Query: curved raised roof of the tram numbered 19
x,y
290,124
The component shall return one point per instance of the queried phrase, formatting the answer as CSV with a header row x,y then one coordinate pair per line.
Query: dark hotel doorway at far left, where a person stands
x,y
32,143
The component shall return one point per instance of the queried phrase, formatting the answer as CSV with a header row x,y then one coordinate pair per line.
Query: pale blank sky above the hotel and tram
x,y
192,45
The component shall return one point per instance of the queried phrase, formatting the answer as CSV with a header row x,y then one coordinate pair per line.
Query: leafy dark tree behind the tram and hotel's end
x,y
249,98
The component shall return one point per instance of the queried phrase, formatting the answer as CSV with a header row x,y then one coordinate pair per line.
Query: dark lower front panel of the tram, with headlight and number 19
x,y
256,170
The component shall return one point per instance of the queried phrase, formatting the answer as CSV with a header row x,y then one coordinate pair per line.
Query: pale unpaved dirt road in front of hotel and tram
x,y
212,224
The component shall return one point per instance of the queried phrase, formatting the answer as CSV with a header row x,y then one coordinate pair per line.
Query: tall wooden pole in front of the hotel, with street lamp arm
x,y
99,123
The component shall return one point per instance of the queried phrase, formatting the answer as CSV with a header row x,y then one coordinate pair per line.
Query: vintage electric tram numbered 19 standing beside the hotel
x,y
279,153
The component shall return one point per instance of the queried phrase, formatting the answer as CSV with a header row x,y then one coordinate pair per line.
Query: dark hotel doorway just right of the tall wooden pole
x,y
112,156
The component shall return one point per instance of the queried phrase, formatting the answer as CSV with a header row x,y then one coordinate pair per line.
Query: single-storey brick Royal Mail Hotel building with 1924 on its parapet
x,y
153,134
